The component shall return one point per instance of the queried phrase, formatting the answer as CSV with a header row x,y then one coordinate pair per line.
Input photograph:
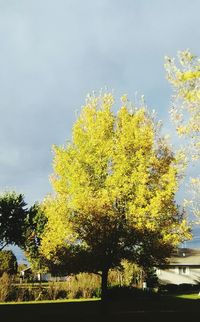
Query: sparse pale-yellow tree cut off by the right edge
x,y
185,79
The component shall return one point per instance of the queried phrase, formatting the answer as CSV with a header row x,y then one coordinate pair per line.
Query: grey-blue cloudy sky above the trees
x,y
54,52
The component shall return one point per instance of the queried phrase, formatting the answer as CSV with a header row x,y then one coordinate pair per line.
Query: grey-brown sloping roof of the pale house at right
x,y
185,256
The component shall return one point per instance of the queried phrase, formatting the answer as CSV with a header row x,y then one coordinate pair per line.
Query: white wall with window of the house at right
x,y
176,275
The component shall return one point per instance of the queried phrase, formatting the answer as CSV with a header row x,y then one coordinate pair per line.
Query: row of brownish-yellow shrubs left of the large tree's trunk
x,y
83,285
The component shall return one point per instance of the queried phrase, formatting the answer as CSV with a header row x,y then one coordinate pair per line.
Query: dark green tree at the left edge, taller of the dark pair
x,y
13,212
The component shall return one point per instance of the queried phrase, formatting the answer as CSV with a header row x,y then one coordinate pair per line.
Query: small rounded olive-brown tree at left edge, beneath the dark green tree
x,y
8,262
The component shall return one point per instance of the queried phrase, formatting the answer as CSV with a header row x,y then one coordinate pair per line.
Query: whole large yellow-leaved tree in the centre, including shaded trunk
x,y
114,192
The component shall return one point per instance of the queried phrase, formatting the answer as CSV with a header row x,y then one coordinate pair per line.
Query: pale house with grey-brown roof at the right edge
x,y
182,267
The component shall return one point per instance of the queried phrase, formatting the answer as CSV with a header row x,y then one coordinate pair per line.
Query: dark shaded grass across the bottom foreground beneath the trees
x,y
152,309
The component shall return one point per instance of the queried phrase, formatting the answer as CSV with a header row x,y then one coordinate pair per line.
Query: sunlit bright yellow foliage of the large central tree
x,y
116,168
